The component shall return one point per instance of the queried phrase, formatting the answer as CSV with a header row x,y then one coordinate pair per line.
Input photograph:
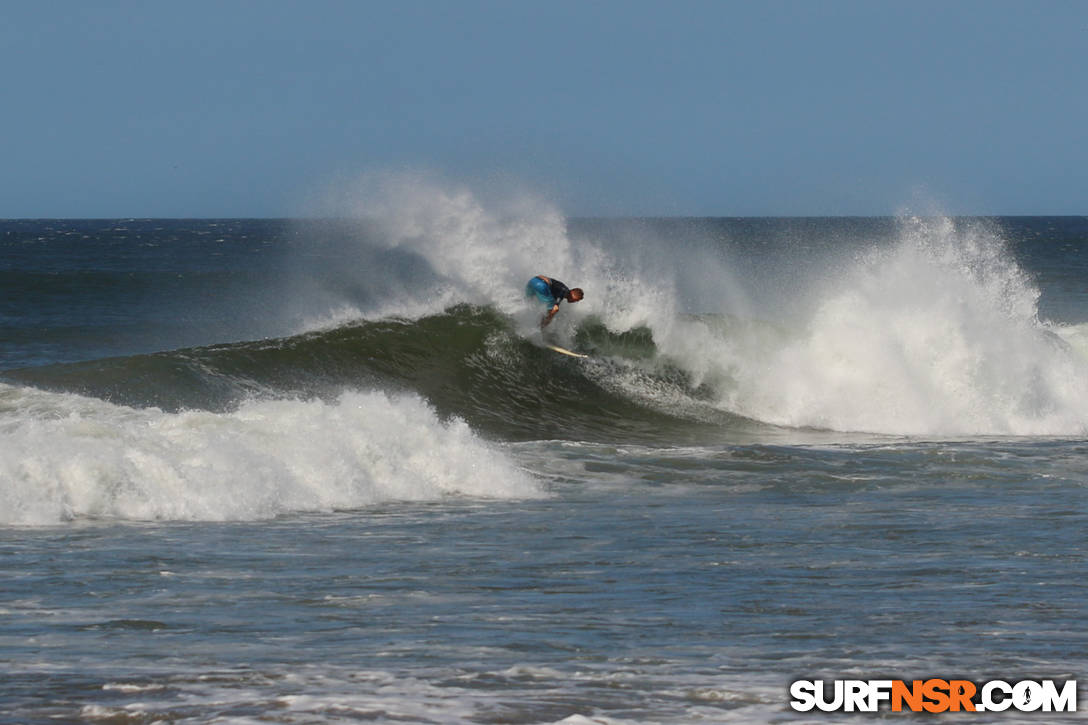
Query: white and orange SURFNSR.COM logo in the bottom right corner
x,y
934,695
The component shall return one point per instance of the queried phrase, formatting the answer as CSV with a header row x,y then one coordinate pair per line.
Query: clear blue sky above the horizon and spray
x,y
245,108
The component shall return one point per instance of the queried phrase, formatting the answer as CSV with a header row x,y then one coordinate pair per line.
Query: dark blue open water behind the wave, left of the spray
x,y
83,290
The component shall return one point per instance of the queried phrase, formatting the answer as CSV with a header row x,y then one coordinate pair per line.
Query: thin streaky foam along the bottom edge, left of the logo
x,y
469,693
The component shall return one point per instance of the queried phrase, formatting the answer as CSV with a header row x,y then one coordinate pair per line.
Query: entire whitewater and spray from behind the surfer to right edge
x,y
932,333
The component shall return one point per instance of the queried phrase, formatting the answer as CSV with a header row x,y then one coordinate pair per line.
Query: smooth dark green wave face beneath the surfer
x,y
467,363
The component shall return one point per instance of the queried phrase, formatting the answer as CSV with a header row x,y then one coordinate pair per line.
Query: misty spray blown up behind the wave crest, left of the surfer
x,y
407,244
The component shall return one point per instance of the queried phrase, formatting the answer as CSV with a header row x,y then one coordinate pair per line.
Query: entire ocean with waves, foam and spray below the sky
x,y
325,471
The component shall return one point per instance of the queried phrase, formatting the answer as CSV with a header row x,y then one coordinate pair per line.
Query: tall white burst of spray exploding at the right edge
x,y
935,335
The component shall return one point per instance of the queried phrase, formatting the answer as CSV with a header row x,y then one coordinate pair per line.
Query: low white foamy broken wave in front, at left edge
x,y
65,457
